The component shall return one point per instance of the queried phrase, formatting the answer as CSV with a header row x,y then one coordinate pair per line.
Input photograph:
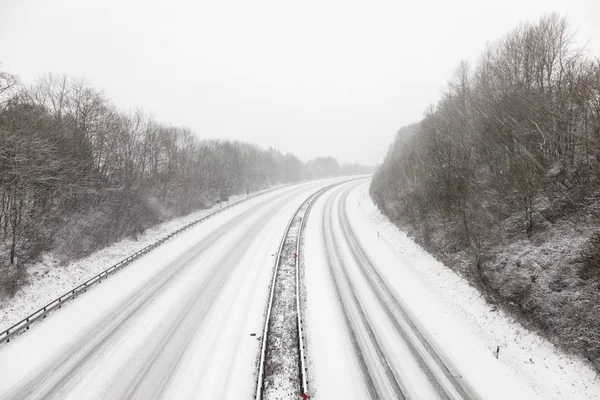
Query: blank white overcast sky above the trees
x,y
322,77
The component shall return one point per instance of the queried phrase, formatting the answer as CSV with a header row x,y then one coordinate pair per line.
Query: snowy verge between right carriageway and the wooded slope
x,y
535,359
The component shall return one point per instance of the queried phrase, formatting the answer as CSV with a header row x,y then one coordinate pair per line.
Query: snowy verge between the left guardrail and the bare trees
x,y
48,279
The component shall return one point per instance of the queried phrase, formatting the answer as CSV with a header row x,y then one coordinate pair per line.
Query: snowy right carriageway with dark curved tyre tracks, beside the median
x,y
374,331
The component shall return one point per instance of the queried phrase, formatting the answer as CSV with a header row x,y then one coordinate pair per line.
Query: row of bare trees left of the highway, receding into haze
x,y
77,174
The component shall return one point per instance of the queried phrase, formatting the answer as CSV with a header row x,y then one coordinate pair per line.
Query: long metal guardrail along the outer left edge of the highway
x,y
26,322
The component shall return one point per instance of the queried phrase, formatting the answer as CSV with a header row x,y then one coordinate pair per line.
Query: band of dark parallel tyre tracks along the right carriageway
x,y
370,307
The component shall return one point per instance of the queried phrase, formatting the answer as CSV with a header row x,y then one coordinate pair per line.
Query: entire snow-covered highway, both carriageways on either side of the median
x,y
185,321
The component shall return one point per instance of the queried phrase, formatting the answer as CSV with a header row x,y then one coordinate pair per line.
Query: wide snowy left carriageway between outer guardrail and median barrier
x,y
175,324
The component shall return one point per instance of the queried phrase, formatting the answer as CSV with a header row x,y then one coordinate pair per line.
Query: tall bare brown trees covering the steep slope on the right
x,y
510,151
